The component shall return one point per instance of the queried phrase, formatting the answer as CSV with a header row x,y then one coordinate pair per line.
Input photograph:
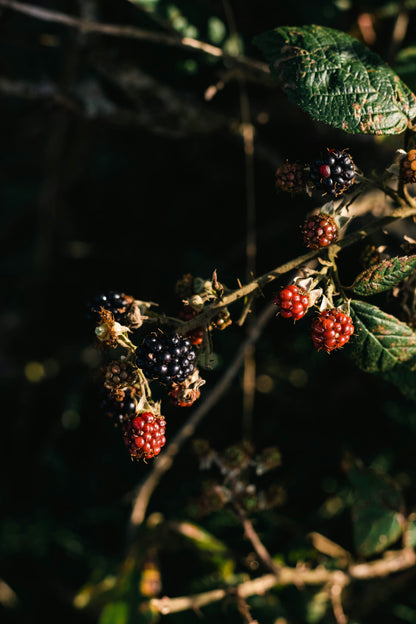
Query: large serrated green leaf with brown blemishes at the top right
x,y
337,80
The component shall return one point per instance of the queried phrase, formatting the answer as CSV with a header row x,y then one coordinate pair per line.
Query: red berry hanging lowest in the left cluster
x,y
144,435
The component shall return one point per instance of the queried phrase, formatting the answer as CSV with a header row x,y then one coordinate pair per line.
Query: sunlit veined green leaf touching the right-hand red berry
x,y
380,340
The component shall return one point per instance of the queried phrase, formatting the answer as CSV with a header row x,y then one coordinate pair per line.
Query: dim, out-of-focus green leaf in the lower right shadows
x,y
377,510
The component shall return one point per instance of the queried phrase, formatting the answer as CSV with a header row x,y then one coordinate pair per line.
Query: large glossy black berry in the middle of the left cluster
x,y
169,357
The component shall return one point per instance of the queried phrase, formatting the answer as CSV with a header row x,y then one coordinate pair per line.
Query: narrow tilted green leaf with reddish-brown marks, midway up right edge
x,y
384,275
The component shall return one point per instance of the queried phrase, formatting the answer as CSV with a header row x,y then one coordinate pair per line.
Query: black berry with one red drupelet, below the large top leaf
x,y
334,173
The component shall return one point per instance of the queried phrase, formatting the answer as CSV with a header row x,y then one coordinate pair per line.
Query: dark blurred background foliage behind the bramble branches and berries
x,y
123,167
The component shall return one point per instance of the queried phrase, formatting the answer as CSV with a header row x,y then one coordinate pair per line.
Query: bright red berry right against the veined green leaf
x,y
331,329
